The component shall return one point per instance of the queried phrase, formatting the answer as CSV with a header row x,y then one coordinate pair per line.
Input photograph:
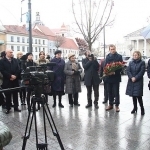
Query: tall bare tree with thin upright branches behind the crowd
x,y
91,16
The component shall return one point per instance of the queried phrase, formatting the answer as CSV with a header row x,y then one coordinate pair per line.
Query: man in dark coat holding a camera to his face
x,y
91,79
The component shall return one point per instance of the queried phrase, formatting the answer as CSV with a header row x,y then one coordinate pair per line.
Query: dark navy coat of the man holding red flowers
x,y
110,58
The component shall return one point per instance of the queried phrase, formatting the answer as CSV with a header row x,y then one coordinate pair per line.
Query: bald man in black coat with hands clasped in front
x,y
10,70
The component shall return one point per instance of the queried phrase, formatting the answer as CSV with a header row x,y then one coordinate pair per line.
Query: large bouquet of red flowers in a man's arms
x,y
112,67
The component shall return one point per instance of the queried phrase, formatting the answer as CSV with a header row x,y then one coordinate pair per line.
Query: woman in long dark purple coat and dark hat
x,y
59,78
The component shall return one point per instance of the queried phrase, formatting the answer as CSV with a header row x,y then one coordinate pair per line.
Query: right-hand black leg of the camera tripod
x,y
54,133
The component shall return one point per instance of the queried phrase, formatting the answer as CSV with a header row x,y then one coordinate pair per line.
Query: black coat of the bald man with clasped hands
x,y
7,69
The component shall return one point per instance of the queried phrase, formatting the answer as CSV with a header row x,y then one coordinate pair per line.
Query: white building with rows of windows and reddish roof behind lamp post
x,y
16,38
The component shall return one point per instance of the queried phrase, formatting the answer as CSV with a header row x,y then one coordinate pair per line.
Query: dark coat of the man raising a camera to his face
x,y
91,69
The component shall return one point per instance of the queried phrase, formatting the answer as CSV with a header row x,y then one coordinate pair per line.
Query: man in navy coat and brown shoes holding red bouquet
x,y
114,78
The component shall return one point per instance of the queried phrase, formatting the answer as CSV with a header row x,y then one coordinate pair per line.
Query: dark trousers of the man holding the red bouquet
x,y
113,91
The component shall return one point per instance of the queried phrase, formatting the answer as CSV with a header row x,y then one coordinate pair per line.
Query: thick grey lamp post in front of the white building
x,y
28,21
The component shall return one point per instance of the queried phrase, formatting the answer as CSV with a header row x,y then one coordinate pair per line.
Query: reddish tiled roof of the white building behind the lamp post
x,y
15,29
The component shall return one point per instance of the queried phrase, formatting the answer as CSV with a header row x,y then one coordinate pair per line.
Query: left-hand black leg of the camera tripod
x,y
25,135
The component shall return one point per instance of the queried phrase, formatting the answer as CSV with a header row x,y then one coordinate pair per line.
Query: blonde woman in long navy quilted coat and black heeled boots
x,y
135,72
